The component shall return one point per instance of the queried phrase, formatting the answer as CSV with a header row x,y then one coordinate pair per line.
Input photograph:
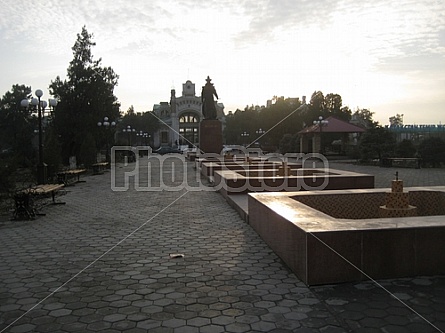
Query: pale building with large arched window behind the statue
x,y
180,118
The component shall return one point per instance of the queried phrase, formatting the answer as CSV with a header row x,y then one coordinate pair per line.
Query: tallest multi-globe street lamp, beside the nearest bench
x,y
41,105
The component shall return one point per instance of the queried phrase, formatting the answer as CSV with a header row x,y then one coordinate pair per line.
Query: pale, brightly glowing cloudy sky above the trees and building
x,y
384,56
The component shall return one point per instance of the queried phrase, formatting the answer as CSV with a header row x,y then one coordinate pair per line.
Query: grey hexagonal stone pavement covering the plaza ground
x,y
106,261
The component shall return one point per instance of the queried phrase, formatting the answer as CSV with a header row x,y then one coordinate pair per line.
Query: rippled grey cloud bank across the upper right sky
x,y
383,28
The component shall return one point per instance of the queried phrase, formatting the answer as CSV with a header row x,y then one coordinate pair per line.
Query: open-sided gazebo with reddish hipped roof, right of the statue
x,y
310,137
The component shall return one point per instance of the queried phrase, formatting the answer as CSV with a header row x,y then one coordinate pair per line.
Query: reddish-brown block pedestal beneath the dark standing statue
x,y
210,136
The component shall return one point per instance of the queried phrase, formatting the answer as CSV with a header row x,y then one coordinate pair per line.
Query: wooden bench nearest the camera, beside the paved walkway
x,y
24,200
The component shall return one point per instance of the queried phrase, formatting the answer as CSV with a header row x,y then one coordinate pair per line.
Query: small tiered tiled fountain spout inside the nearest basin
x,y
397,202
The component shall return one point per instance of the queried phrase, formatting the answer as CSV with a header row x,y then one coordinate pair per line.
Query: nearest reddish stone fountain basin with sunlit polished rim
x,y
338,236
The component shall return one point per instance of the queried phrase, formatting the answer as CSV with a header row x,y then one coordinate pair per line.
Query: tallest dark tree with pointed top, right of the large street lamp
x,y
85,97
